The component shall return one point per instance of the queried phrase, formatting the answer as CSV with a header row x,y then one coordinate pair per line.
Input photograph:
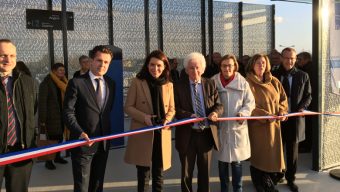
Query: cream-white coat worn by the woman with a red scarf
x,y
236,98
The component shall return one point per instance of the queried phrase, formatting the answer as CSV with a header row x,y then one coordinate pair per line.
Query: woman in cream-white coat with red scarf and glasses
x,y
237,100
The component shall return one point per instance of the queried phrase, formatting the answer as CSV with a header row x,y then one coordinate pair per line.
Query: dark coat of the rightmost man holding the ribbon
x,y
300,98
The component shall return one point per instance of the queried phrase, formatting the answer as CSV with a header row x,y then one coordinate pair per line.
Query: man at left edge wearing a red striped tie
x,y
17,125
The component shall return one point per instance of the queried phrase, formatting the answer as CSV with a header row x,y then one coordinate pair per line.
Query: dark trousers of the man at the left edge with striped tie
x,y
17,175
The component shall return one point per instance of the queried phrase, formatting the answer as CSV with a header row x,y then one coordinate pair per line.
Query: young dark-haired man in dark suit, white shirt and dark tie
x,y
87,105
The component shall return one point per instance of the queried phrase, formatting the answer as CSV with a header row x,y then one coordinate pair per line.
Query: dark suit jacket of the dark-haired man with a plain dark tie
x,y
82,113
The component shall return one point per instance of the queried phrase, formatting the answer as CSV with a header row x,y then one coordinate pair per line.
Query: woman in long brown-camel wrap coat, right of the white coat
x,y
265,135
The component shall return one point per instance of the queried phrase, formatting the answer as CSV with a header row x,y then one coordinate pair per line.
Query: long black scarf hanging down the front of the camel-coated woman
x,y
155,86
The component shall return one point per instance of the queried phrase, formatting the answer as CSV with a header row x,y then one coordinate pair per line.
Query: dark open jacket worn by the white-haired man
x,y
184,109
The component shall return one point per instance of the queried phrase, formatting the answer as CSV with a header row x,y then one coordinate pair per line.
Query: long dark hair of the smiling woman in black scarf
x,y
159,55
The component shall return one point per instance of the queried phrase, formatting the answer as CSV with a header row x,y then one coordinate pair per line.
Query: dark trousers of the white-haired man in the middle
x,y
200,149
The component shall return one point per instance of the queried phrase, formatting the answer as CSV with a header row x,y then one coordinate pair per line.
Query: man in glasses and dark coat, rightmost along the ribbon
x,y
296,84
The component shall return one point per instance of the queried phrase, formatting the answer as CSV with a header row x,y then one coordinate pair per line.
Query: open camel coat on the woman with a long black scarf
x,y
138,104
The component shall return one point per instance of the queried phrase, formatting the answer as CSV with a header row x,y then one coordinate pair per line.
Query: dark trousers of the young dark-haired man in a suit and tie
x,y
89,169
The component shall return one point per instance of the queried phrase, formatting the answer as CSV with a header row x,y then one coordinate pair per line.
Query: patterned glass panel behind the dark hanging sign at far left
x,y
32,44
